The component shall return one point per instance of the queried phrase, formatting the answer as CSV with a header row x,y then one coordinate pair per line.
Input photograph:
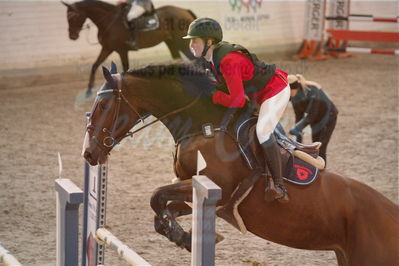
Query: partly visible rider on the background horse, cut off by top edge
x,y
137,8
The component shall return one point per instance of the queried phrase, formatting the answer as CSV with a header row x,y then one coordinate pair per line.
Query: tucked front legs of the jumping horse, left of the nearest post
x,y
164,220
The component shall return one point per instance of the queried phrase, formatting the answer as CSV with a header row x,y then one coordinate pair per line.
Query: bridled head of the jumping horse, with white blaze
x,y
111,118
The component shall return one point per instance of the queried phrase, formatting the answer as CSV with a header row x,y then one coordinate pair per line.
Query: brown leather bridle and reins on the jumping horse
x,y
110,141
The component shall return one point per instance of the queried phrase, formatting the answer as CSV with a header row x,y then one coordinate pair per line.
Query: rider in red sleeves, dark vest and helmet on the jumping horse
x,y
244,75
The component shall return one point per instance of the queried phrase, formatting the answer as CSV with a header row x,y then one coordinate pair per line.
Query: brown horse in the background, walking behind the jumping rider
x,y
113,33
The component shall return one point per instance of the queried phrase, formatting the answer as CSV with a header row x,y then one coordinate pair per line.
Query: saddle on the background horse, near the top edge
x,y
147,22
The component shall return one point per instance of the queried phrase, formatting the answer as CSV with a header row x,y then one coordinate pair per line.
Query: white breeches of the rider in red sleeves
x,y
270,113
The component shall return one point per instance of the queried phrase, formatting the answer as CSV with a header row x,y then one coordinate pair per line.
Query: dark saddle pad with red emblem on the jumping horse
x,y
295,170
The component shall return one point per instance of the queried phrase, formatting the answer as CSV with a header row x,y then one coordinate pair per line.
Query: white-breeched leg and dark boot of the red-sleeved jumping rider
x,y
270,113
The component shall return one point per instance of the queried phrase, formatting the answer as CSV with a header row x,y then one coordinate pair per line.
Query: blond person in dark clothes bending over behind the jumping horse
x,y
313,107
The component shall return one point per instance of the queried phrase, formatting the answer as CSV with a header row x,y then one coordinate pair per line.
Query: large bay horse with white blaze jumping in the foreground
x,y
334,213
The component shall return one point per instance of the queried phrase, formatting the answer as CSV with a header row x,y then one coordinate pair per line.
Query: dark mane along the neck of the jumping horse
x,y
191,77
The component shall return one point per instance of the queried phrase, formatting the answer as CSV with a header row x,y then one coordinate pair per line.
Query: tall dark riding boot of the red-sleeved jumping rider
x,y
275,188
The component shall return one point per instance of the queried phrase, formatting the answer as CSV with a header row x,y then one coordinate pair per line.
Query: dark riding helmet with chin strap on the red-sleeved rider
x,y
205,28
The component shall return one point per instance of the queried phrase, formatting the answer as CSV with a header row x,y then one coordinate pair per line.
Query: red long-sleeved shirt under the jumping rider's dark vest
x,y
236,68
